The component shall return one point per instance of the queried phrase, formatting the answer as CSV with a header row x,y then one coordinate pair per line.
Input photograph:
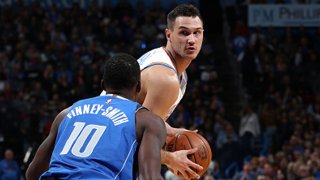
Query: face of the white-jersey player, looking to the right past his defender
x,y
187,36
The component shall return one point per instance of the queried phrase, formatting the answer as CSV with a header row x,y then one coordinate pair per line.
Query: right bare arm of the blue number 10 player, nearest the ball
x,y
151,132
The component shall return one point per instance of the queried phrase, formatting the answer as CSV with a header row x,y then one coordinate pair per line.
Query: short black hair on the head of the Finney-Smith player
x,y
121,71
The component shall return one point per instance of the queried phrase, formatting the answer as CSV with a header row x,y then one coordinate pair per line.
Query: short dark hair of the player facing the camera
x,y
187,10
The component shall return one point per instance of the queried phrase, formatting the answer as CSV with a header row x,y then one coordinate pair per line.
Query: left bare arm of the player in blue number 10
x,y
41,160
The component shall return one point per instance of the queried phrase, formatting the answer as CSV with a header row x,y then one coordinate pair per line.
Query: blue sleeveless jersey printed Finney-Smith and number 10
x,y
96,140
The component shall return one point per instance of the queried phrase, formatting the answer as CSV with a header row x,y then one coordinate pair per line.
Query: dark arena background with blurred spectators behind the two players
x,y
259,64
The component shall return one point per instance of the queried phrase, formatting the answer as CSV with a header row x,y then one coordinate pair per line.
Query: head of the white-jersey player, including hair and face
x,y
184,31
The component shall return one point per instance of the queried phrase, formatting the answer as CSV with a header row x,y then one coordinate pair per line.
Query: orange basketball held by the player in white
x,y
189,140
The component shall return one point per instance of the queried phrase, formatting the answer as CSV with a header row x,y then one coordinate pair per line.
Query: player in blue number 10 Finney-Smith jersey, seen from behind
x,y
97,138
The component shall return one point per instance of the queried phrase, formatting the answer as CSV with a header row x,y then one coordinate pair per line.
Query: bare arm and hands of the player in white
x,y
162,89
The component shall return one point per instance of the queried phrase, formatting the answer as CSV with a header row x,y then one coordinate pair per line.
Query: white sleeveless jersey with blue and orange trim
x,y
161,56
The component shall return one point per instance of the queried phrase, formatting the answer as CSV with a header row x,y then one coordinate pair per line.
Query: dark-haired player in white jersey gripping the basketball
x,y
164,79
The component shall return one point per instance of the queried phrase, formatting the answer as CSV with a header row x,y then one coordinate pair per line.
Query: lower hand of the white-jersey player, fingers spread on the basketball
x,y
183,167
